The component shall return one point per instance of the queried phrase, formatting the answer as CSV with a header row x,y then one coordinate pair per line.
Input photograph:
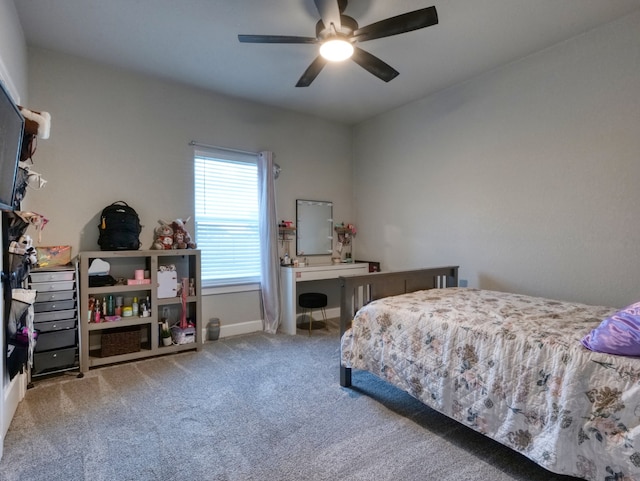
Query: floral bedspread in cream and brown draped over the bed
x,y
511,367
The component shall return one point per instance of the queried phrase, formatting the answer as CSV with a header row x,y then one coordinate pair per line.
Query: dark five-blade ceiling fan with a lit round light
x,y
339,33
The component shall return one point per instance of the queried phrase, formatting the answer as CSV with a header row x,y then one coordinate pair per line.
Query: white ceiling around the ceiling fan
x,y
195,42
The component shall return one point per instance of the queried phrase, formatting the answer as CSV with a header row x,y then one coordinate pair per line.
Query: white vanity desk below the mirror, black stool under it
x,y
291,276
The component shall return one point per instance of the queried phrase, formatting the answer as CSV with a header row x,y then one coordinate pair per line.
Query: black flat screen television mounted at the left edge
x,y
11,131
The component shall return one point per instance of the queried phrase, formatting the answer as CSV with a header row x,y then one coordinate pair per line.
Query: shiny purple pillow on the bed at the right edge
x,y
617,334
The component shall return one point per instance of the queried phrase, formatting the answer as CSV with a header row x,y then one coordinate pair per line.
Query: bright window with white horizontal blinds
x,y
226,216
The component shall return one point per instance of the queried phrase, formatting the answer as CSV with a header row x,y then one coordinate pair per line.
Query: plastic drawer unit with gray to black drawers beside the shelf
x,y
55,319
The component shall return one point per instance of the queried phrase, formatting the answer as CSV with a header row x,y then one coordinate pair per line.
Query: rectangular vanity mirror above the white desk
x,y
314,234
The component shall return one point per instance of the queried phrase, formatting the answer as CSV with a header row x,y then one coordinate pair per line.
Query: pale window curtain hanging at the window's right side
x,y
269,260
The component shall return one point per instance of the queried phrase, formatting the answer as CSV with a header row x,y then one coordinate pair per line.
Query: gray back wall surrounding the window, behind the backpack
x,y
120,136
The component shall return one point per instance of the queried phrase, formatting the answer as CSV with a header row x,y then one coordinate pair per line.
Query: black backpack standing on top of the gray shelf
x,y
119,228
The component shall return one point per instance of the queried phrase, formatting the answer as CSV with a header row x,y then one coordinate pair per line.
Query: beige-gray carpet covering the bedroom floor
x,y
256,407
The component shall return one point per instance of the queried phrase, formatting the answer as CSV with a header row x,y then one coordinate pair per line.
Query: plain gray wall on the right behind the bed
x,y
527,176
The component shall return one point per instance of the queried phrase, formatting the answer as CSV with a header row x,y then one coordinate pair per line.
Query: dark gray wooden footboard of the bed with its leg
x,y
357,291
